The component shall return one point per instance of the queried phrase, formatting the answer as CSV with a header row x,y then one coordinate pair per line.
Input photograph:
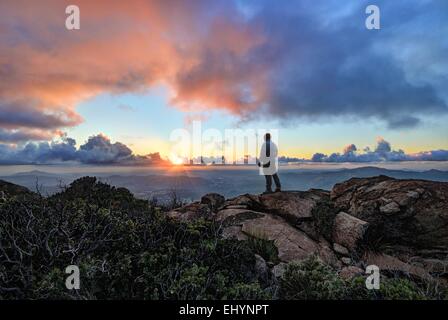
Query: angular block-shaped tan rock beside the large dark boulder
x,y
348,230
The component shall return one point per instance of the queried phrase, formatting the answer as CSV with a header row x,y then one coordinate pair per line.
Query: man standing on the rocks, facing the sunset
x,y
269,163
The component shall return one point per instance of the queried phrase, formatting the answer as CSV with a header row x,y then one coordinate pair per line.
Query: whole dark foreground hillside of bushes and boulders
x,y
311,244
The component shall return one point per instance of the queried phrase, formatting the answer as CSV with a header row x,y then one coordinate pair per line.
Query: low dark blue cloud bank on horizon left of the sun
x,y
97,150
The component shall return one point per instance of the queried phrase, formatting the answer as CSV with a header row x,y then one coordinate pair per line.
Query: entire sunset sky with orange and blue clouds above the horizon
x,y
114,90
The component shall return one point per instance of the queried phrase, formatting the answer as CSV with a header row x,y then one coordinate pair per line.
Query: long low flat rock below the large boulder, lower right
x,y
391,264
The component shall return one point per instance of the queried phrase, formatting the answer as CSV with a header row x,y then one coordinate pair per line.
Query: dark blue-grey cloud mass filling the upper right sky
x,y
328,65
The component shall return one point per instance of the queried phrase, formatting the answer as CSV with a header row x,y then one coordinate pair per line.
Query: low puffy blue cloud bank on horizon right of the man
x,y
382,152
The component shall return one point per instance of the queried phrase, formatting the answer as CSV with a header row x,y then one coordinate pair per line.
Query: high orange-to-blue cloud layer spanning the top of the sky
x,y
293,60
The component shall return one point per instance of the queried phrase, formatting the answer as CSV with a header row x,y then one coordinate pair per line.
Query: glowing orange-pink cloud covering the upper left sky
x,y
198,51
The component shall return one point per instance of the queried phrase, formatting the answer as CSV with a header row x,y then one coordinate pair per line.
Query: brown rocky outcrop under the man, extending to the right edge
x,y
401,226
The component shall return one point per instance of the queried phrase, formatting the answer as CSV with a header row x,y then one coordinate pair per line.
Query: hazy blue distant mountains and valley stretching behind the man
x,y
190,185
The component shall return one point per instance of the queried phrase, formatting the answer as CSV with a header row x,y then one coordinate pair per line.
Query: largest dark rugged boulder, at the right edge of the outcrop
x,y
410,213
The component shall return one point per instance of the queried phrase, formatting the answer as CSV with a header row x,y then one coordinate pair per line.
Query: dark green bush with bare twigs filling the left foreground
x,y
124,247
